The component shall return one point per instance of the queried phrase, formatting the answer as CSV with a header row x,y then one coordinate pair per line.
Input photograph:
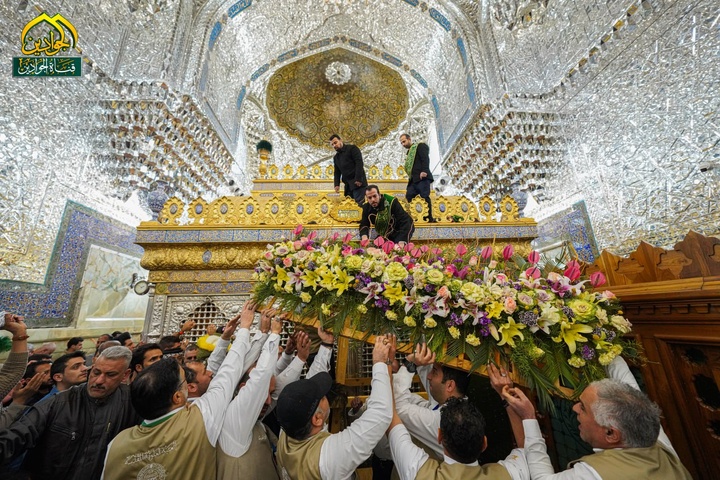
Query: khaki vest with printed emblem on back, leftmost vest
x,y
177,448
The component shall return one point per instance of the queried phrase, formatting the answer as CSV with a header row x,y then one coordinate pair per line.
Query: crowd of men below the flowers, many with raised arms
x,y
149,411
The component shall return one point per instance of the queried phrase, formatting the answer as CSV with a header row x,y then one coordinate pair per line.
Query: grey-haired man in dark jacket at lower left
x,y
67,435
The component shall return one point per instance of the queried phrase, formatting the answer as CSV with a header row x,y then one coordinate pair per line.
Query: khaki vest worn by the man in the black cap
x,y
300,459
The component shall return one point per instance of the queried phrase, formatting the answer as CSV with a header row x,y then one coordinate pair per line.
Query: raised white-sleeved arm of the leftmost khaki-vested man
x,y
215,401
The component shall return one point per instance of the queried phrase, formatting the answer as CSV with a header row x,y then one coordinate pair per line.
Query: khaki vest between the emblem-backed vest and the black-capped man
x,y
258,462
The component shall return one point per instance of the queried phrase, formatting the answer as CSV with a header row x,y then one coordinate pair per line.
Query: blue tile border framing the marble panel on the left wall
x,y
51,303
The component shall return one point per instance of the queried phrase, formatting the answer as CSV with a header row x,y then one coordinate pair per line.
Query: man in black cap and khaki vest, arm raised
x,y
306,450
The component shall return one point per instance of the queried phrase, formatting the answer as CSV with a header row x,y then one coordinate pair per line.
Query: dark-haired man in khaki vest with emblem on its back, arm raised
x,y
177,439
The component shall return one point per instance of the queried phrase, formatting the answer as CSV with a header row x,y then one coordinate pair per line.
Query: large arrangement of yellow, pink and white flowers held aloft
x,y
549,324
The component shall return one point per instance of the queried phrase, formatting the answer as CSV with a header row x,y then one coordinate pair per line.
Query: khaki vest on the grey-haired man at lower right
x,y
654,463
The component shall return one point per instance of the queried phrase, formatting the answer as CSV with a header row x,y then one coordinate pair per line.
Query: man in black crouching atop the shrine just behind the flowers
x,y
388,217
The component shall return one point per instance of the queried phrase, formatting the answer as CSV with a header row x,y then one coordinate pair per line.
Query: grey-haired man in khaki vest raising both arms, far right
x,y
621,424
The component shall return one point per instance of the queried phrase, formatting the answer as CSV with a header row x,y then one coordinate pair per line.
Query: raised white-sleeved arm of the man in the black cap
x,y
341,453
